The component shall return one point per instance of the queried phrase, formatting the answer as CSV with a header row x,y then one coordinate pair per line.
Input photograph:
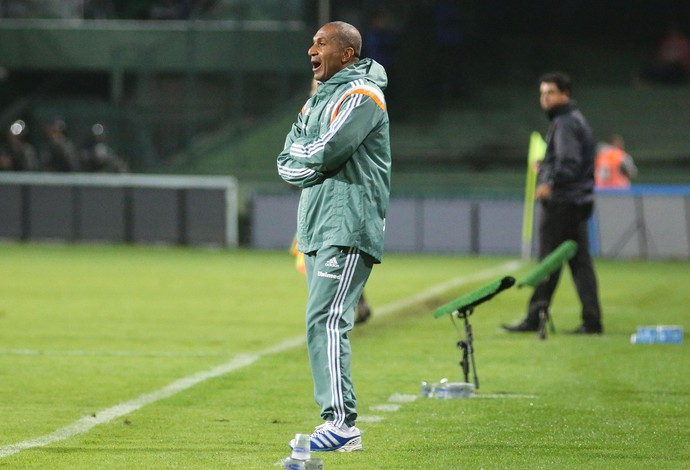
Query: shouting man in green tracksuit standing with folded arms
x,y
338,152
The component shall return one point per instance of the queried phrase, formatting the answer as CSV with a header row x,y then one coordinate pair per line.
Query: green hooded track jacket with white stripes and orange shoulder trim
x,y
338,151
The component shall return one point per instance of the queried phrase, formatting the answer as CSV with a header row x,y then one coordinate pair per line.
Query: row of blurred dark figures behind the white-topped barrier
x,y
57,152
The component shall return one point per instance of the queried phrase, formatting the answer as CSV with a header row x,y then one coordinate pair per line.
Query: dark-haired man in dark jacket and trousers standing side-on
x,y
565,189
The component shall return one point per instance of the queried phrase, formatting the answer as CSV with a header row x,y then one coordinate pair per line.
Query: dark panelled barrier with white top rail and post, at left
x,y
118,208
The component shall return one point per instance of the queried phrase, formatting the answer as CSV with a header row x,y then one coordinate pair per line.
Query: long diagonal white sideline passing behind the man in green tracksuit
x,y
86,423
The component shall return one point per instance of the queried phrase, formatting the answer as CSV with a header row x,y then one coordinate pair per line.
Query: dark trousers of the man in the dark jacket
x,y
560,222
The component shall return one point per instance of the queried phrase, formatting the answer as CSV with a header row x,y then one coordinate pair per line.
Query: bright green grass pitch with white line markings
x,y
162,357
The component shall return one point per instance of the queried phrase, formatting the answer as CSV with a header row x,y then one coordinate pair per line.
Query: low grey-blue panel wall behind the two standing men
x,y
644,223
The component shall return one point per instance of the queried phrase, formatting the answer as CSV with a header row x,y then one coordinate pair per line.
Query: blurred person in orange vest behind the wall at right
x,y
613,166
